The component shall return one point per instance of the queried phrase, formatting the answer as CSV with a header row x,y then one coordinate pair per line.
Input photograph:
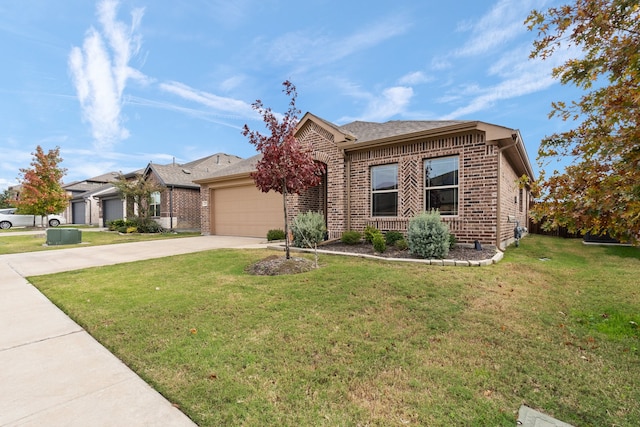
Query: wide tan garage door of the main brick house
x,y
246,211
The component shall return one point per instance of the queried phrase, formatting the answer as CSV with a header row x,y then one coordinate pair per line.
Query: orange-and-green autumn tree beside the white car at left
x,y
42,193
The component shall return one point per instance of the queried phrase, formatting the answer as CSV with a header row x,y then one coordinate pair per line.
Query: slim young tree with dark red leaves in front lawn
x,y
287,166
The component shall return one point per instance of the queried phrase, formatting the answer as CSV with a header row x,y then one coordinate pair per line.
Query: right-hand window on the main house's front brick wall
x,y
441,185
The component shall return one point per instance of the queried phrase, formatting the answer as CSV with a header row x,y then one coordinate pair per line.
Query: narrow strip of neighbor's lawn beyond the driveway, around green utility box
x,y
36,242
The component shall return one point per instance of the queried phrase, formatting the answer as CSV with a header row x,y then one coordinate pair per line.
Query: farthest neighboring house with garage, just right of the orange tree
x,y
83,204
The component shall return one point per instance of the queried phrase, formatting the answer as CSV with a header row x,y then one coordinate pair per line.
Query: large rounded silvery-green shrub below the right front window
x,y
428,236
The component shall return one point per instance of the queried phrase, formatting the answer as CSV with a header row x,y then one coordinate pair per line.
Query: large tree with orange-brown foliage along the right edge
x,y
600,190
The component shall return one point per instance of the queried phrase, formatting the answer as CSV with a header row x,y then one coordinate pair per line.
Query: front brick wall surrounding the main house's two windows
x,y
477,189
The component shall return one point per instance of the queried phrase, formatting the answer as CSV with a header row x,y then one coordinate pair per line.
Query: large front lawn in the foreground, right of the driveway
x,y
359,342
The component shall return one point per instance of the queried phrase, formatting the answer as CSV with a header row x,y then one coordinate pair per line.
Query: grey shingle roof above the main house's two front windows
x,y
370,131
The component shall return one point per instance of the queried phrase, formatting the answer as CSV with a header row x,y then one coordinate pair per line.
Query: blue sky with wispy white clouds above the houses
x,y
119,84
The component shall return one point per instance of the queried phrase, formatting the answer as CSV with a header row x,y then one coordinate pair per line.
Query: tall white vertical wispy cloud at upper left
x,y
101,70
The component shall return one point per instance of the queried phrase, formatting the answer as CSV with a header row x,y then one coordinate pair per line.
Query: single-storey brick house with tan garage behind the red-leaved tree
x,y
382,174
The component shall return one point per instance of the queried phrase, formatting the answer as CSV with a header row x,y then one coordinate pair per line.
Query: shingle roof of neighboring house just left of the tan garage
x,y
184,174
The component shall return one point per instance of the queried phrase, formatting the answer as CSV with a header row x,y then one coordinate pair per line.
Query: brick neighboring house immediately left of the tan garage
x,y
177,205
